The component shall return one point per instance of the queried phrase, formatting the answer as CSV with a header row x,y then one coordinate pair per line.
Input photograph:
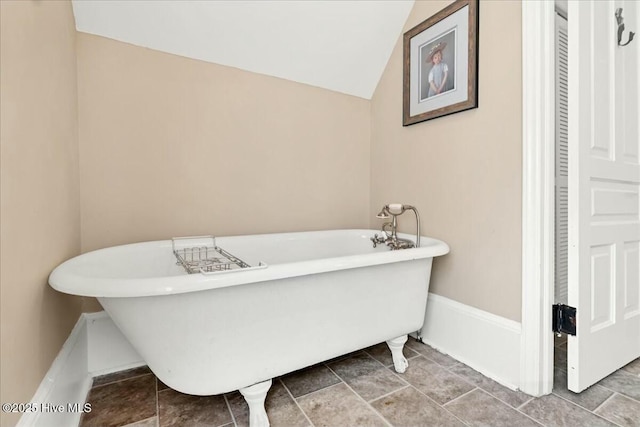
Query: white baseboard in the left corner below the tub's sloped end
x,y
94,347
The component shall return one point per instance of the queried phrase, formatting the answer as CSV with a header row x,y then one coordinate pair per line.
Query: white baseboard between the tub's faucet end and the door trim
x,y
488,343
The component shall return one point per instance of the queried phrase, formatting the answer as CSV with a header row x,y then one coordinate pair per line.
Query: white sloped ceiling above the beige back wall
x,y
339,45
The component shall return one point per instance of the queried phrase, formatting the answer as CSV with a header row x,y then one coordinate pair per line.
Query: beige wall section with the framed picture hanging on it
x,y
463,171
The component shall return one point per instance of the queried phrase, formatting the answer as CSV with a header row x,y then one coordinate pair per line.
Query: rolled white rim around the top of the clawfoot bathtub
x,y
64,279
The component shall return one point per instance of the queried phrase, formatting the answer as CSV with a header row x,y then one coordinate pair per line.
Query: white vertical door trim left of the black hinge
x,y
538,142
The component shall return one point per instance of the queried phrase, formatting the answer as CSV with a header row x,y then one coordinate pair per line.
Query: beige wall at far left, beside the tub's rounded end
x,y
39,189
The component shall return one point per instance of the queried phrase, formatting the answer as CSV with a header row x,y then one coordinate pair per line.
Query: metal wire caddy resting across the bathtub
x,y
200,254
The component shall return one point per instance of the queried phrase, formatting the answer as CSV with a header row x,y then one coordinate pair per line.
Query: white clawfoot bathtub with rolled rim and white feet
x,y
310,297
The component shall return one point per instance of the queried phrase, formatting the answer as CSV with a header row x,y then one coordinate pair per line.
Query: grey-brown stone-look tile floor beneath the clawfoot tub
x,y
362,389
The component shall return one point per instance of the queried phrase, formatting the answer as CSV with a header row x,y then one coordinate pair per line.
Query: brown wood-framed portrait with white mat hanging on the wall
x,y
441,64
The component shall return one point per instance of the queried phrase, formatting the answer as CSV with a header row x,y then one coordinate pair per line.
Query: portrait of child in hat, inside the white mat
x,y
437,58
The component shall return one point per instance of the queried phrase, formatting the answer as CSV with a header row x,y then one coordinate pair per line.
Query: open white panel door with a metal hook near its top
x,y
604,181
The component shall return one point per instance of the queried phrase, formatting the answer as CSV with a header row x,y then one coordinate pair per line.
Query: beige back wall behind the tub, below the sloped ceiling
x,y
171,146
